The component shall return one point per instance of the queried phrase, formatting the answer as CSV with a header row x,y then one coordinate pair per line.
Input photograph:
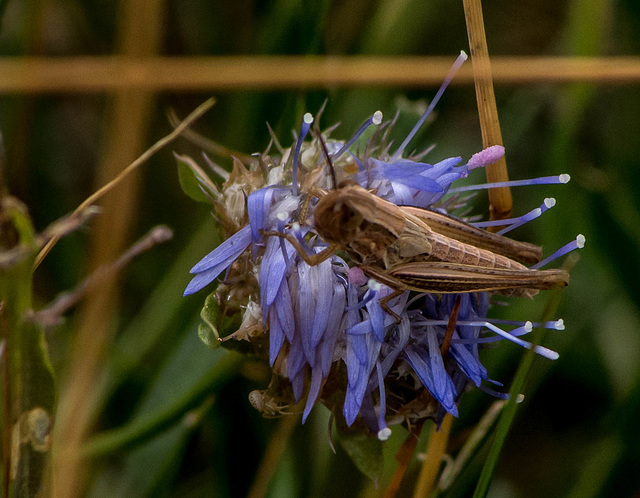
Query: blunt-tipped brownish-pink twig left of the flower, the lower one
x,y
53,314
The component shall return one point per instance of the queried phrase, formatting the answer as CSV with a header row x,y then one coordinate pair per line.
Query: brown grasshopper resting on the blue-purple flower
x,y
409,248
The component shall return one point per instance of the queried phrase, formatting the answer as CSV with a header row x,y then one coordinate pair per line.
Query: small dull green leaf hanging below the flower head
x,y
364,449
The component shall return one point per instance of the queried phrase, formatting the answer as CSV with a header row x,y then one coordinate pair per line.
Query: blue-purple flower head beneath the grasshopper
x,y
377,354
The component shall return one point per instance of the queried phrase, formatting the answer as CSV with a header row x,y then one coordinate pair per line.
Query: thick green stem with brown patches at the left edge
x,y
29,378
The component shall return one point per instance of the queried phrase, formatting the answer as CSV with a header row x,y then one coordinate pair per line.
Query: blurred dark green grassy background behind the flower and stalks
x,y
171,417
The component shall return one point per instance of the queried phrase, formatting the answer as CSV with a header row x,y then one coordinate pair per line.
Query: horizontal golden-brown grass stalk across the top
x,y
41,75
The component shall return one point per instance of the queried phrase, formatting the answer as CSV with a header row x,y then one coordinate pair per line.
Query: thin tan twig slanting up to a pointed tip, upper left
x,y
198,112
